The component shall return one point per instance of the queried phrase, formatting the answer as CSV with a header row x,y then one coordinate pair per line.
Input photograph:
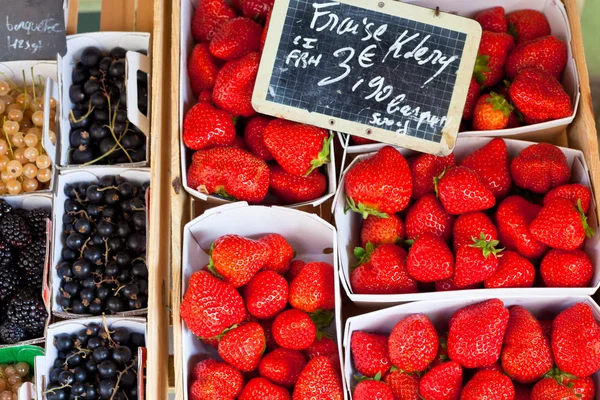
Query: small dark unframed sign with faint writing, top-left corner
x,y
32,30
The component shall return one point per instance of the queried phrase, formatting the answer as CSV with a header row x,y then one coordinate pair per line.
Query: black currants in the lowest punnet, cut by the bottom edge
x,y
95,363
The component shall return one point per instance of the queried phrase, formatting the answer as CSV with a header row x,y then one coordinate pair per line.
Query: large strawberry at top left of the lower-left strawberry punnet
x,y
237,259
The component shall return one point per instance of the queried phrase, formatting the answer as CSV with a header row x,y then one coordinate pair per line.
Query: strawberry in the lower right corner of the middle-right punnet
x,y
561,268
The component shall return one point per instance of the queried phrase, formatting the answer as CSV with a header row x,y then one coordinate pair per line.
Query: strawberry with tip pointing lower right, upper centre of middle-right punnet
x,y
461,190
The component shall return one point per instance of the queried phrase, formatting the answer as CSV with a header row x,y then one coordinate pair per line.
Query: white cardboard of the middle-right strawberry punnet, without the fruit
x,y
349,225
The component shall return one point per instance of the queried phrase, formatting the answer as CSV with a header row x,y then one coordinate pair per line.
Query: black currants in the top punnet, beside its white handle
x,y
100,130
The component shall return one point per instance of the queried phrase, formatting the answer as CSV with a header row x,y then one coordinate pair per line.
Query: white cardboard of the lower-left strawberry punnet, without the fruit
x,y
312,239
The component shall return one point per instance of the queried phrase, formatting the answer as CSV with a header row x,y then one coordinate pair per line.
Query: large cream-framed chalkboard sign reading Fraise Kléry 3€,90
x,y
384,70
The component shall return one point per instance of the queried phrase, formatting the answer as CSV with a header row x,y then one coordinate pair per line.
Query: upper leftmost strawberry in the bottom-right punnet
x,y
370,353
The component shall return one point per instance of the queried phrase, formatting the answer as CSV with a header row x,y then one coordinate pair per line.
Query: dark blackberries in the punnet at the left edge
x,y
23,314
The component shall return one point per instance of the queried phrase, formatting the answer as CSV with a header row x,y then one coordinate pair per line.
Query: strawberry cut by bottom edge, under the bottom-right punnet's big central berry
x,y
488,385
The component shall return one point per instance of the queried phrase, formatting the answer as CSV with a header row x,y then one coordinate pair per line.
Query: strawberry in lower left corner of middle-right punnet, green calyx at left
x,y
381,271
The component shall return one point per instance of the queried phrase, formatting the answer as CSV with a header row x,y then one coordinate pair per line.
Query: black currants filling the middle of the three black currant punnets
x,y
103,263
